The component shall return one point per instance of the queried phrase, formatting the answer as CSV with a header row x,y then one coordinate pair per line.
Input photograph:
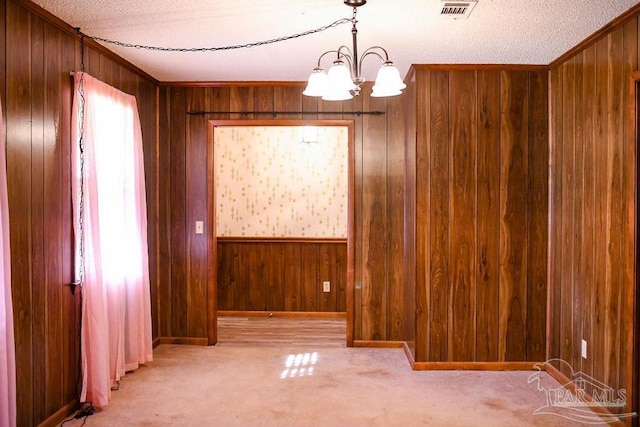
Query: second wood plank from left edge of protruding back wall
x,y
438,284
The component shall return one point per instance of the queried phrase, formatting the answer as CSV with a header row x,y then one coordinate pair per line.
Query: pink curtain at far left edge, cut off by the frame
x,y
7,348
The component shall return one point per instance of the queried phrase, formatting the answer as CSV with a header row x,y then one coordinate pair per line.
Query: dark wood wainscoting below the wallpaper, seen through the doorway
x,y
275,275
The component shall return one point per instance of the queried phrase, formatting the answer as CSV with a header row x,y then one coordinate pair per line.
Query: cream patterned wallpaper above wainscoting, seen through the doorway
x,y
271,184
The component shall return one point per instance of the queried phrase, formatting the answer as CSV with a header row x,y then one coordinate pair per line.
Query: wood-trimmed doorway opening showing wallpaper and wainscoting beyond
x,y
273,247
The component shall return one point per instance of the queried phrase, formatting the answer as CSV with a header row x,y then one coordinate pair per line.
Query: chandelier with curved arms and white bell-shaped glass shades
x,y
344,78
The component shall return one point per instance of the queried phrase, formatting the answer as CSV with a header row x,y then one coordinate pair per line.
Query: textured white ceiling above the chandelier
x,y
497,32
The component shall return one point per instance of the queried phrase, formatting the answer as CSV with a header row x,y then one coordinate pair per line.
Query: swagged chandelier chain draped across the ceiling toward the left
x,y
219,48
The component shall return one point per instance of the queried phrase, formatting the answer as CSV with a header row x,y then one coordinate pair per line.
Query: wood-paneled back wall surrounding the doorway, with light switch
x,y
379,167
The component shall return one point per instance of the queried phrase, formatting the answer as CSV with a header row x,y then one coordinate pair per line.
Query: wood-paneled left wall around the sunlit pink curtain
x,y
37,52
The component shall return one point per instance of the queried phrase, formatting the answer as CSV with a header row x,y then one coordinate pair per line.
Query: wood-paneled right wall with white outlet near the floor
x,y
592,210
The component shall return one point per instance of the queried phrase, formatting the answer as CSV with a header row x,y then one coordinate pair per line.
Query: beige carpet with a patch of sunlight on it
x,y
240,386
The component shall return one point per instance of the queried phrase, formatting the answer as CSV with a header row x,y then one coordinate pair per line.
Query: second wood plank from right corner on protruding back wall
x,y
513,214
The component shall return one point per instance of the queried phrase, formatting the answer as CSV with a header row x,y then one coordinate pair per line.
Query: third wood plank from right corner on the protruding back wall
x,y
488,240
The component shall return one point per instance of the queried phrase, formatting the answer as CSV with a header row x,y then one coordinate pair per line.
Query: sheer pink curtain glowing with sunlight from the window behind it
x,y
116,309
